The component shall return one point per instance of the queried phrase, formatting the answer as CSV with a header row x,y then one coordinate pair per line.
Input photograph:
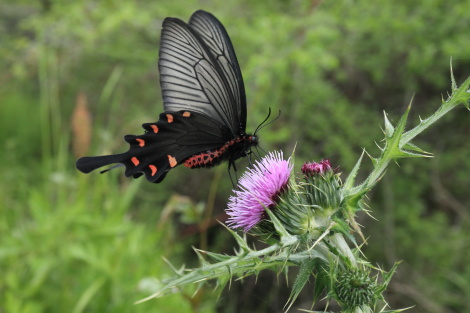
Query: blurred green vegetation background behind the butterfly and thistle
x,y
76,76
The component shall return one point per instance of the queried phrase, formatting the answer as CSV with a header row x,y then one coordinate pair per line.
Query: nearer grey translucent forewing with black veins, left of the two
x,y
190,77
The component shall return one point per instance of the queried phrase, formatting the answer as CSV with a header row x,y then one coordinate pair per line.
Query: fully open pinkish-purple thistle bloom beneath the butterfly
x,y
259,187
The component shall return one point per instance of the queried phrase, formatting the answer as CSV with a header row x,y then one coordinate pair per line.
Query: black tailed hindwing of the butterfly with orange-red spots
x,y
165,144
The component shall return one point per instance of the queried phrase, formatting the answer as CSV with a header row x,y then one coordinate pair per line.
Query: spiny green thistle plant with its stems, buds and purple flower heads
x,y
309,222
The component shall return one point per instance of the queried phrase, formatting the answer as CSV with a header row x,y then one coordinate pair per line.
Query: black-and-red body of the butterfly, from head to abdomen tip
x,y
231,150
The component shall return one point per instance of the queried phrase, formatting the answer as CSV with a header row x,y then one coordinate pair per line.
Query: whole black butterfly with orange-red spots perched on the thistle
x,y
204,102
